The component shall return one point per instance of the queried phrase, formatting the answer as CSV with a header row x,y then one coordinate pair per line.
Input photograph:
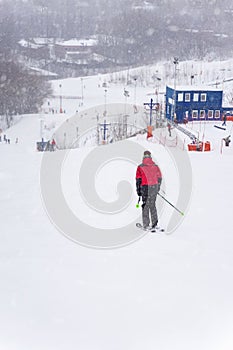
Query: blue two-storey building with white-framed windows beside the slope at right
x,y
194,103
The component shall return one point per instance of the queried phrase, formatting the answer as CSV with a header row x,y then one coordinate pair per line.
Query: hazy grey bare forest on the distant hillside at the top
x,y
144,31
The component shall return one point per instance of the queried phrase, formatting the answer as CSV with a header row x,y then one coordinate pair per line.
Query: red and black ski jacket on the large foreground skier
x,y
149,173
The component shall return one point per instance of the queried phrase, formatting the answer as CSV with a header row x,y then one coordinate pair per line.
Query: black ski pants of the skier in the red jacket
x,y
149,211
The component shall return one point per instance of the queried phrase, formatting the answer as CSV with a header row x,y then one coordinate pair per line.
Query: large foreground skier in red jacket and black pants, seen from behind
x,y
148,182
